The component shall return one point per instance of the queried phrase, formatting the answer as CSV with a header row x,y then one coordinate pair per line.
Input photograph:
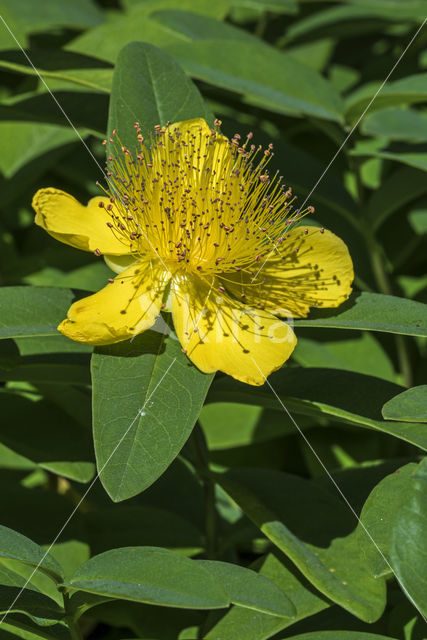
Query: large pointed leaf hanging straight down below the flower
x,y
135,384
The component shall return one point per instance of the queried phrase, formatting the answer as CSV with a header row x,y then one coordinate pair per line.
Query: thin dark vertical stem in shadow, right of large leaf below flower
x,y
201,453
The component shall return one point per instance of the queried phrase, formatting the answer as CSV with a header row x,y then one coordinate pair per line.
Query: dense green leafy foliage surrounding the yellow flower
x,y
230,530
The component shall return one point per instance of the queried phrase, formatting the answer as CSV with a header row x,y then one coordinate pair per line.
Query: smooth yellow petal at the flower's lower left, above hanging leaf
x,y
125,307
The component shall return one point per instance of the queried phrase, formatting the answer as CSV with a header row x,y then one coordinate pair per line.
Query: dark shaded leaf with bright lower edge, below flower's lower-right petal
x,y
341,395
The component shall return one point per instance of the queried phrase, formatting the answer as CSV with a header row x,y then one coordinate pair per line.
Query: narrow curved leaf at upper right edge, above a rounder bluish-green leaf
x,y
409,90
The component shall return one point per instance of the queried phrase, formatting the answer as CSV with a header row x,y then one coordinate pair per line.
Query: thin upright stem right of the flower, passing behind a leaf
x,y
381,277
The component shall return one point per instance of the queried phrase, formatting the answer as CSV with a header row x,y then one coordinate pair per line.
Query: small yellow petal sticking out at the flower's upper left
x,y
83,227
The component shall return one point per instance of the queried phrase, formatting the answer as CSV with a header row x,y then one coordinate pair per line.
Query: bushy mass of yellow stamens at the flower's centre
x,y
197,201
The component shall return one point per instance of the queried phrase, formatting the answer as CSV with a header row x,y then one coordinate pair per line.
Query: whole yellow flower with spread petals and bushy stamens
x,y
194,223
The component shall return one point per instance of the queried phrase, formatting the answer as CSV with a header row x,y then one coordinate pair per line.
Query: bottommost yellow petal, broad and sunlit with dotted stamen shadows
x,y
219,333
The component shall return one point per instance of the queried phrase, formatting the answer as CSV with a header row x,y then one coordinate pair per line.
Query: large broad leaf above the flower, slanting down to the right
x,y
266,77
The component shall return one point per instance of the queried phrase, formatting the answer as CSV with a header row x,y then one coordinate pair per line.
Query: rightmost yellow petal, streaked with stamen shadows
x,y
314,269
